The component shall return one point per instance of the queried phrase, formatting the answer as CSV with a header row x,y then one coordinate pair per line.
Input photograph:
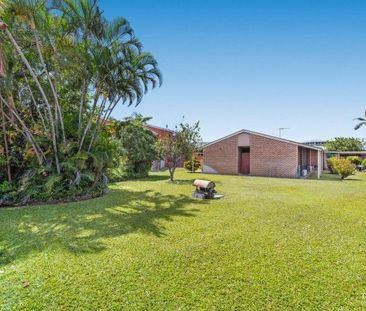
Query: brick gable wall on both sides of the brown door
x,y
268,157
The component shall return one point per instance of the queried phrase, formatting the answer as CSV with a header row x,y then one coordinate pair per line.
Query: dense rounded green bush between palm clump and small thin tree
x,y
138,148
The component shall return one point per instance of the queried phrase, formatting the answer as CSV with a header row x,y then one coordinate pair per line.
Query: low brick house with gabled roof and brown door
x,y
250,153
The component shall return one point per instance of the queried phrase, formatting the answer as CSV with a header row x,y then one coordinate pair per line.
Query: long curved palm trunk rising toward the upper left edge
x,y
26,63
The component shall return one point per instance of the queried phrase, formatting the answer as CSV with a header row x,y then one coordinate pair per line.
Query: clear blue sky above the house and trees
x,y
258,65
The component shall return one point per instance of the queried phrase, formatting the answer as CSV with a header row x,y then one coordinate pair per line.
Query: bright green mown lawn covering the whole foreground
x,y
270,243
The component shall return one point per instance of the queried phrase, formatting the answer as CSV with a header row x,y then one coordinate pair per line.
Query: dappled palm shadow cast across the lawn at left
x,y
80,227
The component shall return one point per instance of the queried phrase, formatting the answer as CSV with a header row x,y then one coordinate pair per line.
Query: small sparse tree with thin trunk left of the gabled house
x,y
176,148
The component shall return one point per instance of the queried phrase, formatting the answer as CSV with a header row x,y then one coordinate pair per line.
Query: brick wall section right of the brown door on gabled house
x,y
270,157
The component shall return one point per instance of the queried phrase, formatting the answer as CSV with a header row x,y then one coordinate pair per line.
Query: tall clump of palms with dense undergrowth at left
x,y
63,70
